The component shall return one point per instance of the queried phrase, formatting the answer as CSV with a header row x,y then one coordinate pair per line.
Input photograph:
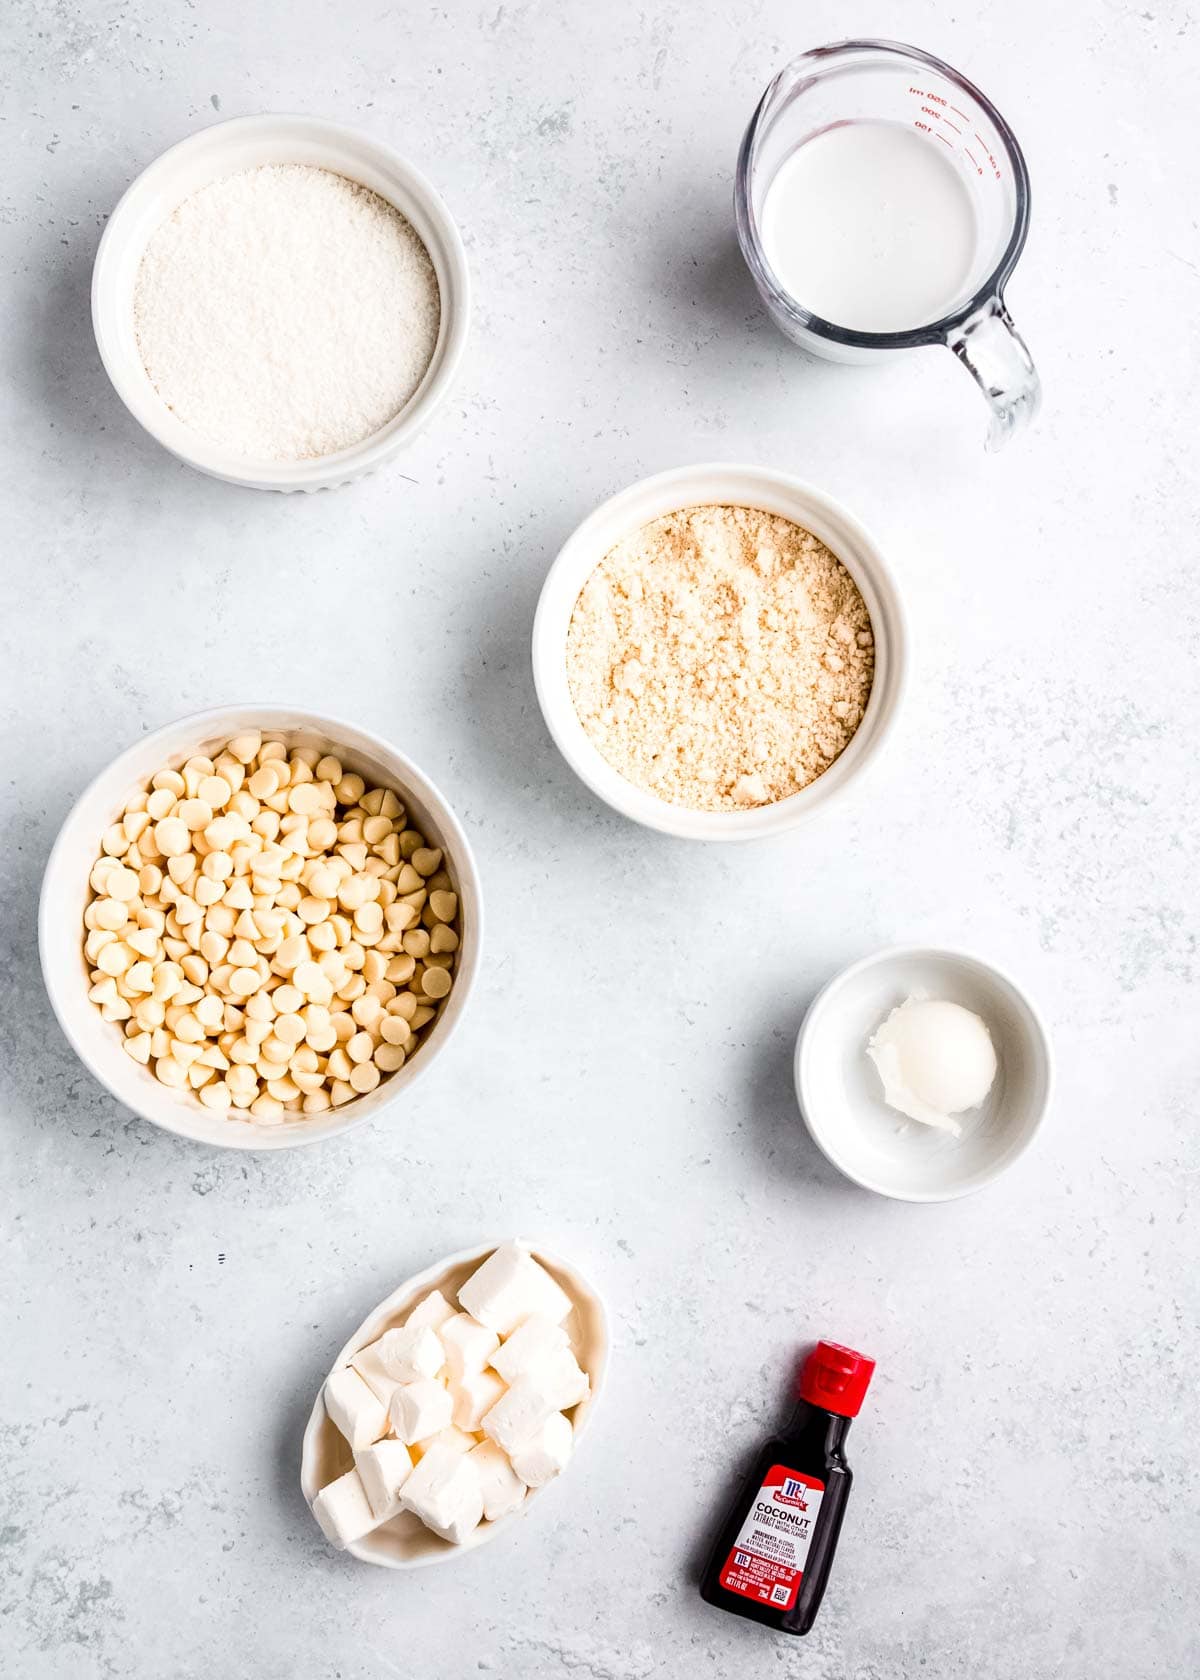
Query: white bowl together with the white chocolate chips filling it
x,y
260,927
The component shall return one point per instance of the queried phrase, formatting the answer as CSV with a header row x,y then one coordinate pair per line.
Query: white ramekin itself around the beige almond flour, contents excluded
x,y
776,493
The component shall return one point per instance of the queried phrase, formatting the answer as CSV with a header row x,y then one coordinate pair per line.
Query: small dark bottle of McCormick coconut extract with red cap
x,y
776,1548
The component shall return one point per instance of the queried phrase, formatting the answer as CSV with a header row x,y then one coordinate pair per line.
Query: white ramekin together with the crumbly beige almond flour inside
x,y
720,653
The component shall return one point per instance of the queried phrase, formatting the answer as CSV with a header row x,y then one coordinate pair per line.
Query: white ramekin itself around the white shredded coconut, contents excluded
x,y
248,144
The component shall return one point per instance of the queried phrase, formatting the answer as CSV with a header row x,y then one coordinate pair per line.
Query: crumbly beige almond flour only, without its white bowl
x,y
720,658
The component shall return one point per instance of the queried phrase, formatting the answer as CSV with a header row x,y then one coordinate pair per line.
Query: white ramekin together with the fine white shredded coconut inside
x,y
282,302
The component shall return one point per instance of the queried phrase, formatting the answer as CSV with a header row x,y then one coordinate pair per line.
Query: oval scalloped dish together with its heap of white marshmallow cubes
x,y
453,1405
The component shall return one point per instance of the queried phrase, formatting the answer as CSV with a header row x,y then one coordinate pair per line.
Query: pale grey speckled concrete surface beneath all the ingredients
x,y
1028,1462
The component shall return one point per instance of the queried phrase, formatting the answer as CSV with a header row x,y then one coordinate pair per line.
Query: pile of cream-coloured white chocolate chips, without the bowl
x,y
251,923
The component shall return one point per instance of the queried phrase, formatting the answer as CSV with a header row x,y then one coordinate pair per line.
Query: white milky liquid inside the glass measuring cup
x,y
871,228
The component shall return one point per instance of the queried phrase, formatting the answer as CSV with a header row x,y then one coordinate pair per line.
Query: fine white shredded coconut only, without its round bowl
x,y
287,312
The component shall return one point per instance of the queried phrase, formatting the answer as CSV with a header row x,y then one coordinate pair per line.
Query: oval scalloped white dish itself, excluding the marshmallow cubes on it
x,y
406,1543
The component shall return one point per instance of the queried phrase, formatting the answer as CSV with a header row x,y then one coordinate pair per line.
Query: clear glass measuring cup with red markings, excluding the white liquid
x,y
873,81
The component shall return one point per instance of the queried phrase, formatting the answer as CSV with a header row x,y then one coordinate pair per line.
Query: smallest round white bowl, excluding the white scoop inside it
x,y
841,1096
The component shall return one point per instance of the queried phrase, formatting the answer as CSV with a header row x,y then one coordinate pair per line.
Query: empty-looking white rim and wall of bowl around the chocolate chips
x,y
66,891
